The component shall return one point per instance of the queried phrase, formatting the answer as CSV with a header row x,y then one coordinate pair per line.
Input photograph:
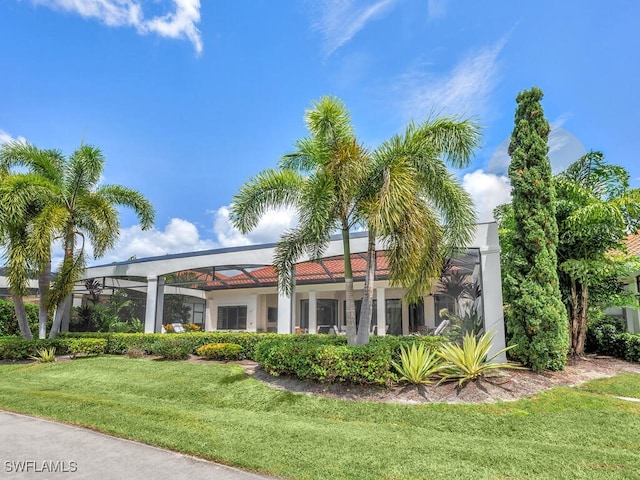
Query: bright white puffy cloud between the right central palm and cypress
x,y
488,191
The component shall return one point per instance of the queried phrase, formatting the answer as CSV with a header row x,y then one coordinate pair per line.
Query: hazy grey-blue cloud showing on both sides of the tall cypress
x,y
564,149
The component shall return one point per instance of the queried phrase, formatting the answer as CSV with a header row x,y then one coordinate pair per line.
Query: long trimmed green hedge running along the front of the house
x,y
324,358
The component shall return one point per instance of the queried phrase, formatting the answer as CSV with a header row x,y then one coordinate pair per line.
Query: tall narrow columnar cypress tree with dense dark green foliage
x,y
537,320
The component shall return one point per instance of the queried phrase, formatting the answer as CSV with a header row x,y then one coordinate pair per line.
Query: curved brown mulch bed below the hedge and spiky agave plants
x,y
506,386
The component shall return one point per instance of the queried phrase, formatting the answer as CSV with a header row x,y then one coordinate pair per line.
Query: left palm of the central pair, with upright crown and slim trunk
x,y
320,180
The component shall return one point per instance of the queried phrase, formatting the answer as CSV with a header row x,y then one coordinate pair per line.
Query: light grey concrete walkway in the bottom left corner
x,y
33,448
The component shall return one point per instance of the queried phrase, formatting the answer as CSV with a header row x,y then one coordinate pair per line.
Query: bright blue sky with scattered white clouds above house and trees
x,y
188,100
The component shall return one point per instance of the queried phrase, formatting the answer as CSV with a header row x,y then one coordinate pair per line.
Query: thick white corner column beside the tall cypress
x,y
492,296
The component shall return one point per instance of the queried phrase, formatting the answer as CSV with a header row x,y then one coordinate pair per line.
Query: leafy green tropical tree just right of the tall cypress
x,y
596,209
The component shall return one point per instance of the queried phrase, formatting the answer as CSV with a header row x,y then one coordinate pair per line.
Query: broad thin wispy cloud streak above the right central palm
x,y
465,90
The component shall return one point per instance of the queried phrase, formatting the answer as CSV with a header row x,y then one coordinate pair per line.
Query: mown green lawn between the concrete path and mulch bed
x,y
217,412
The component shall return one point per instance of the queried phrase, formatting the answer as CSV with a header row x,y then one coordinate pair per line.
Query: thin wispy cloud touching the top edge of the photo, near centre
x,y
339,20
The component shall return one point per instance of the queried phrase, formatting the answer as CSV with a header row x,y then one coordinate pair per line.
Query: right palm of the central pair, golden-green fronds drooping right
x,y
415,206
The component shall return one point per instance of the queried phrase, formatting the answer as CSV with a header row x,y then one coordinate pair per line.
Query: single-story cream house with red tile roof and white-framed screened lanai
x,y
236,289
